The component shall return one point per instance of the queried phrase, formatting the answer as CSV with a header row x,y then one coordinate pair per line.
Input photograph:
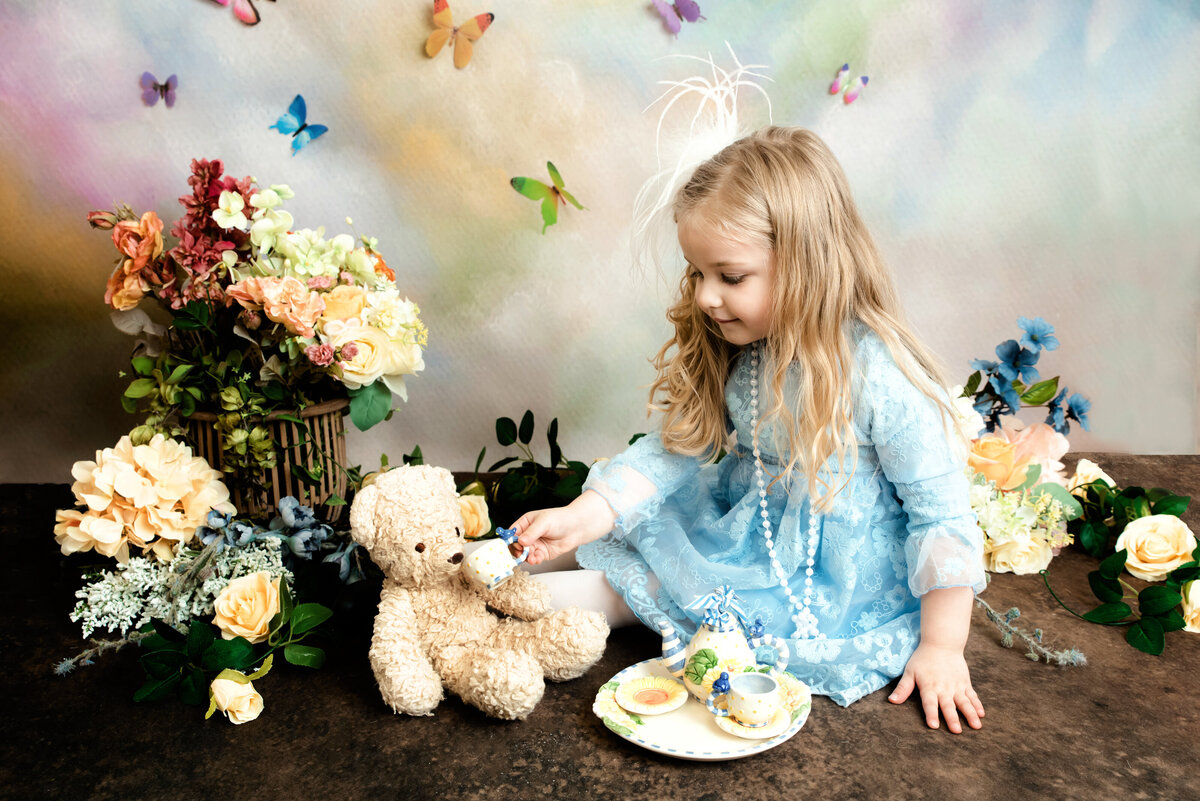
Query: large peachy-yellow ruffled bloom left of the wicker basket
x,y
151,496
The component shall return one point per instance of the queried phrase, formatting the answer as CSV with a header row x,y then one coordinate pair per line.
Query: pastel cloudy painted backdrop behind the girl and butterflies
x,y
1018,159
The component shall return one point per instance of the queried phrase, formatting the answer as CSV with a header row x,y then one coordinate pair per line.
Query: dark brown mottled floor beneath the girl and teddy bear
x,y
1125,727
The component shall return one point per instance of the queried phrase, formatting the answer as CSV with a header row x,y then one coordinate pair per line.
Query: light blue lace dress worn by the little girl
x,y
901,528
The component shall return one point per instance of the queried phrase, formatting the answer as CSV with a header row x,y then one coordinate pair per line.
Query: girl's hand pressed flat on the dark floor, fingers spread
x,y
941,676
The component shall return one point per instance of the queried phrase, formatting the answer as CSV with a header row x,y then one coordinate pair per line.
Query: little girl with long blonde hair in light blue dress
x,y
841,514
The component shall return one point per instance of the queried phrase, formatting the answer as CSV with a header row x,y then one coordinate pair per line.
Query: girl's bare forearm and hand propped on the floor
x,y
938,667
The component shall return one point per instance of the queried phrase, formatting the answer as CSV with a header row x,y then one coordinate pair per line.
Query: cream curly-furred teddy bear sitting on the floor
x,y
437,630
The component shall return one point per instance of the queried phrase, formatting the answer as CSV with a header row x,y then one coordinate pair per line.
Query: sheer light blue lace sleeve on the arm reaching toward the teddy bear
x,y
635,483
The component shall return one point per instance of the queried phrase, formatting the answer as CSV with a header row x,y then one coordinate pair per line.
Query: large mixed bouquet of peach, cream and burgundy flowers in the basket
x,y
263,318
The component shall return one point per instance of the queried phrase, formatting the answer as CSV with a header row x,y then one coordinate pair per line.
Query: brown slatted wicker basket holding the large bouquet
x,y
328,431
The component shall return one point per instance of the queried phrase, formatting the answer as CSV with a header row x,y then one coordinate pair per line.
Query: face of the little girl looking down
x,y
733,280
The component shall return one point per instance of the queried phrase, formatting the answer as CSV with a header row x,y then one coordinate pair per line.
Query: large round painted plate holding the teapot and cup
x,y
692,732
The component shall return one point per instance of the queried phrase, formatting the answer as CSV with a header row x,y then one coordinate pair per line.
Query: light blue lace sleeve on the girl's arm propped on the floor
x,y
945,545
